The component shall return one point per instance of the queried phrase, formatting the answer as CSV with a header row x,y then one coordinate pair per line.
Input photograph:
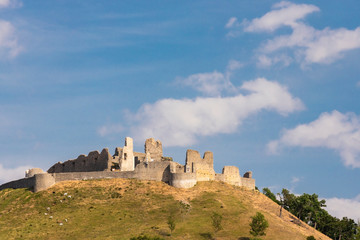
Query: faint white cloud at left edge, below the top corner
x,y
8,41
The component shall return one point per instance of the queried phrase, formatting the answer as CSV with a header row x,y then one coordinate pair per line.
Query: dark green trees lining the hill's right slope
x,y
310,210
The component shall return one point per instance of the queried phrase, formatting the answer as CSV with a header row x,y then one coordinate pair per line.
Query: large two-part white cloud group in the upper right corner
x,y
307,45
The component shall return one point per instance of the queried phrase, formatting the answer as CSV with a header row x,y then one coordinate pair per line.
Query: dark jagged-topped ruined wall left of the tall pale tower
x,y
95,161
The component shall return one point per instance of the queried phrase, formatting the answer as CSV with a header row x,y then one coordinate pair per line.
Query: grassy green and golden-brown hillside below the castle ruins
x,y
124,208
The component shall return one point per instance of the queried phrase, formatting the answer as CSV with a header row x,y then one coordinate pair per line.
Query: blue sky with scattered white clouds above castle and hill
x,y
268,86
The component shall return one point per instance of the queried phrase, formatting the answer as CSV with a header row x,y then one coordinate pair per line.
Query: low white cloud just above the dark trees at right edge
x,y
342,207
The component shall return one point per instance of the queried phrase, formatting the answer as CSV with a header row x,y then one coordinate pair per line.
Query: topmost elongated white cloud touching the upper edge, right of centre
x,y
284,14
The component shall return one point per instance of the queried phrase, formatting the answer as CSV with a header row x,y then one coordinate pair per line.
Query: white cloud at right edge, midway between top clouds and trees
x,y
337,131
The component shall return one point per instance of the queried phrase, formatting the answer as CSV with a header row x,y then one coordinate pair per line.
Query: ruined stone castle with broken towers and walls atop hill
x,y
126,163
